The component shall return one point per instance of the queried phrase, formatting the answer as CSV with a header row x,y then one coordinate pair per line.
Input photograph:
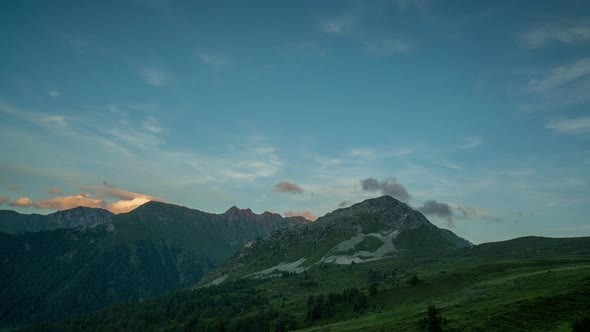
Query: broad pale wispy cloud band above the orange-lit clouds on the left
x,y
117,143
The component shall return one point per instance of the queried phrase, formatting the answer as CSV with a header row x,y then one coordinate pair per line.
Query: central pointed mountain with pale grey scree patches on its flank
x,y
371,230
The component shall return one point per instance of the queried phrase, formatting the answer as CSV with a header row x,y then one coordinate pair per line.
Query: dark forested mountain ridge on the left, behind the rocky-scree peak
x,y
92,258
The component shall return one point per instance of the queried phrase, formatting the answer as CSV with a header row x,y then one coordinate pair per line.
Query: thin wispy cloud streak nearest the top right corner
x,y
567,34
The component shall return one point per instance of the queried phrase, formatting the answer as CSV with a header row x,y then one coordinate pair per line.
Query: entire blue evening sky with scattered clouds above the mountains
x,y
475,113
